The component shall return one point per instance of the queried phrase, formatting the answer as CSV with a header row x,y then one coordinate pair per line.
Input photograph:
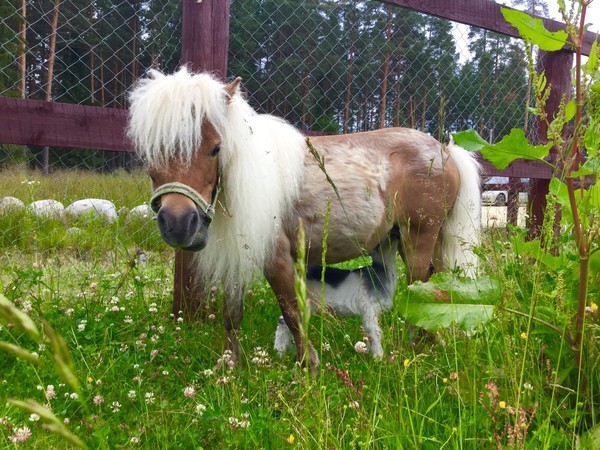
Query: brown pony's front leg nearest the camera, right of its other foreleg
x,y
280,275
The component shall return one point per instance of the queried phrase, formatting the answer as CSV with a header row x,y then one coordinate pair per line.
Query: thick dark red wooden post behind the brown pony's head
x,y
204,47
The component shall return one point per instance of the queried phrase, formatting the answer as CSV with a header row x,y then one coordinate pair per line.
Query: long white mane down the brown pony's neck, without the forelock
x,y
261,161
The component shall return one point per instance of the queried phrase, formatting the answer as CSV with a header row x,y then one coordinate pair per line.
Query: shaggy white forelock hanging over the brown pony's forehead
x,y
166,114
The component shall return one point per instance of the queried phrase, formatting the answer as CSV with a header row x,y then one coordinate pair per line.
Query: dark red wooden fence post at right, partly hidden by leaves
x,y
557,67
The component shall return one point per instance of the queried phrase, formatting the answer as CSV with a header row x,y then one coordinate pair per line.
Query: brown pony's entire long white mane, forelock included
x,y
261,161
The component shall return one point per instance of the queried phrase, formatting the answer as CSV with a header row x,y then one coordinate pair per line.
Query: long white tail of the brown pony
x,y
460,232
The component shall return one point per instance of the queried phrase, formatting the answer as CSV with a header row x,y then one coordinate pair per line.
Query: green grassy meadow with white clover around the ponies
x,y
128,375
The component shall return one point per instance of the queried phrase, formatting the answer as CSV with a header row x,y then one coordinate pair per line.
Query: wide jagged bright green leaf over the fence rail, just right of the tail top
x,y
514,146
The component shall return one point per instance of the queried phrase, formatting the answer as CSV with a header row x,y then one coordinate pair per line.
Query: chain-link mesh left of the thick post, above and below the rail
x,y
86,53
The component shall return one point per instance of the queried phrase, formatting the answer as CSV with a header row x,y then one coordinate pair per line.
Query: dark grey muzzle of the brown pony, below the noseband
x,y
186,229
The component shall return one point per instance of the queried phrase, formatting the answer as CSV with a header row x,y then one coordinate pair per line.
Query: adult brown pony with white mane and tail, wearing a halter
x,y
233,186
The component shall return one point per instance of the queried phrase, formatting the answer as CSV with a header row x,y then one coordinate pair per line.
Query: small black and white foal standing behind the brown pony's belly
x,y
365,292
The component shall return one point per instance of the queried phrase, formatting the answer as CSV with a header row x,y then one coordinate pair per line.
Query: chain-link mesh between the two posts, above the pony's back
x,y
347,66
